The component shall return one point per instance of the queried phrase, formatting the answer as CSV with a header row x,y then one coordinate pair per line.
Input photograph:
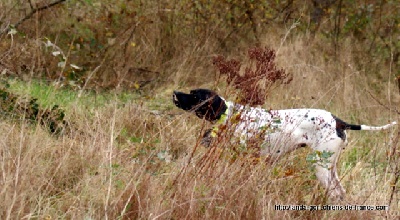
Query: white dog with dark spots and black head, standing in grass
x,y
282,131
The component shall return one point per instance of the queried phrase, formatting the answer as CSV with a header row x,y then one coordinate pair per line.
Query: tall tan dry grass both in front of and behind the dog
x,y
142,160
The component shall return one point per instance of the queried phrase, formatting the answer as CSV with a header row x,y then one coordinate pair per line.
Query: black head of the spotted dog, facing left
x,y
205,103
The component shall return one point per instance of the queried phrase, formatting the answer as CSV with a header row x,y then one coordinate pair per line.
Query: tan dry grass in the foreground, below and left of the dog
x,y
141,158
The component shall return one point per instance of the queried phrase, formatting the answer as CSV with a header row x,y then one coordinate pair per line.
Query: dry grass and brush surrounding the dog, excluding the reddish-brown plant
x,y
129,154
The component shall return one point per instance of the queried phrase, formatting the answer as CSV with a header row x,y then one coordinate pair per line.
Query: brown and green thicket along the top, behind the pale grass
x,y
109,40
